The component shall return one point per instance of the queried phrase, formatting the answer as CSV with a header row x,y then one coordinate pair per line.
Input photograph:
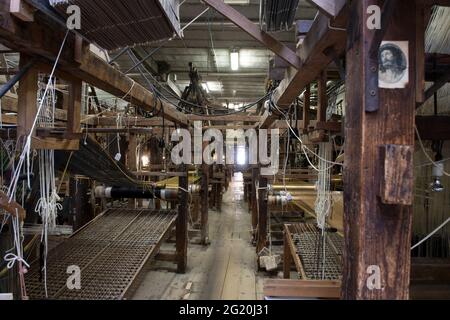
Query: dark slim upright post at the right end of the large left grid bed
x,y
182,222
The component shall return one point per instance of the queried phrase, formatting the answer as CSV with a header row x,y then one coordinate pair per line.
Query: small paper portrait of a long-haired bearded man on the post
x,y
393,64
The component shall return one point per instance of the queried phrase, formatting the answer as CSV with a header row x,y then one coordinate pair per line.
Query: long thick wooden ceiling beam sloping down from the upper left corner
x,y
44,40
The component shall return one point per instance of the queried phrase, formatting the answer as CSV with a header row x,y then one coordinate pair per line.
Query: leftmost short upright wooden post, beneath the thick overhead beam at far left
x,y
27,98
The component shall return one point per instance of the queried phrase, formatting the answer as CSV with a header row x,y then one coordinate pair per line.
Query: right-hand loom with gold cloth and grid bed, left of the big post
x,y
303,247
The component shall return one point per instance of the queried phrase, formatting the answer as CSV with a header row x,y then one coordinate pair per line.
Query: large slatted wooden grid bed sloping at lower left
x,y
112,252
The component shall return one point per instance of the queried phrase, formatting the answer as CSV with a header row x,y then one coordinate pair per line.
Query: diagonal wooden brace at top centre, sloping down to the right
x,y
255,32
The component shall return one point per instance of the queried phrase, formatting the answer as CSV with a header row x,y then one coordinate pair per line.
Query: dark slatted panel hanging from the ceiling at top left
x,y
114,24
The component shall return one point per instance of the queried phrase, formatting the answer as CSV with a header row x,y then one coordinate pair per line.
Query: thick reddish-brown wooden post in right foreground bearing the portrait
x,y
377,235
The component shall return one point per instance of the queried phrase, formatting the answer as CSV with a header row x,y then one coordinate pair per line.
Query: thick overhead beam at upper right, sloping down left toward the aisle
x,y
319,39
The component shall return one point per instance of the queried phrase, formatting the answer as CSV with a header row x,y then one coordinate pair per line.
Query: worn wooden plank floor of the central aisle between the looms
x,y
226,269
